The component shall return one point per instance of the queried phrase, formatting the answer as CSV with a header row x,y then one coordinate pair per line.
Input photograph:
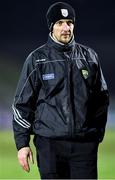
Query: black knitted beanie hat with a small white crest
x,y
57,11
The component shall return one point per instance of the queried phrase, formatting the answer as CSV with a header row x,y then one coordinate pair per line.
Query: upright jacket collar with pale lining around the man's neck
x,y
60,46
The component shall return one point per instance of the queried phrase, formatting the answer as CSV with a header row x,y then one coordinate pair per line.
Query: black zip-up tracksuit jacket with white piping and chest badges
x,y
61,94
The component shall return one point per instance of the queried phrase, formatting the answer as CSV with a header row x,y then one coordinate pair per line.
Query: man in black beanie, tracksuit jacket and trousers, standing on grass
x,y
62,98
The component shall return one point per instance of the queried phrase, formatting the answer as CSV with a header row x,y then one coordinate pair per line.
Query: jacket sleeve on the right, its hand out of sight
x,y
101,101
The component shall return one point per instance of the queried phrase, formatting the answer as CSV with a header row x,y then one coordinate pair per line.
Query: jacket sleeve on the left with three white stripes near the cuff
x,y
24,104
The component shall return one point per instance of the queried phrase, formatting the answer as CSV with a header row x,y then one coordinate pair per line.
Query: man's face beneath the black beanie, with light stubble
x,y
63,30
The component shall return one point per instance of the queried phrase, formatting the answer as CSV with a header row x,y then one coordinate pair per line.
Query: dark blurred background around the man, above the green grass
x,y
23,28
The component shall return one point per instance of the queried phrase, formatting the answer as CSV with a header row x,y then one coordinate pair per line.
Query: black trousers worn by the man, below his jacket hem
x,y
70,159
